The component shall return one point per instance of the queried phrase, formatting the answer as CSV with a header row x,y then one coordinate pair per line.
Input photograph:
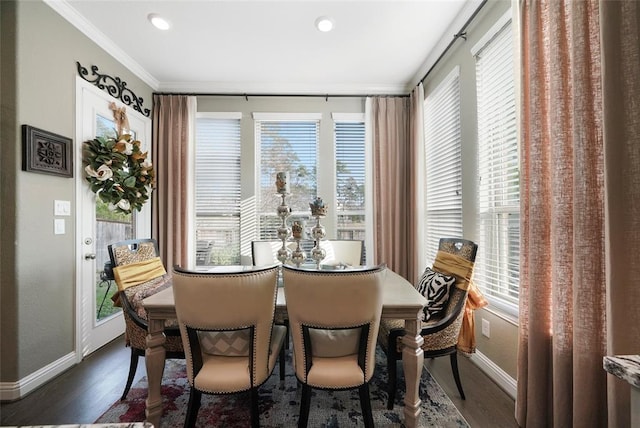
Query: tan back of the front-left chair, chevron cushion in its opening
x,y
229,301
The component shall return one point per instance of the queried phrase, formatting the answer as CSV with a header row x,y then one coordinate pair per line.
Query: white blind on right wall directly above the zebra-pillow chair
x,y
443,163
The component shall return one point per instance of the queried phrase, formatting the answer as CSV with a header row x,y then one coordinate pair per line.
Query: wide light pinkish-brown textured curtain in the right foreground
x,y
567,215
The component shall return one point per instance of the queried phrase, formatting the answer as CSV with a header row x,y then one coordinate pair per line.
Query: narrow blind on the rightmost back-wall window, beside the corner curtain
x,y
350,179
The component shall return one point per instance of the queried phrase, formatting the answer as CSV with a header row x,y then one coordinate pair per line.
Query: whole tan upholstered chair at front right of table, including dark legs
x,y
334,318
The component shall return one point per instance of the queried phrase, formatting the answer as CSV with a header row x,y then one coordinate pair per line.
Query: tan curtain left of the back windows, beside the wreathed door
x,y
172,126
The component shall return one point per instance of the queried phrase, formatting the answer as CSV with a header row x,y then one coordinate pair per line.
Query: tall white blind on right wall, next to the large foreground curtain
x,y
498,259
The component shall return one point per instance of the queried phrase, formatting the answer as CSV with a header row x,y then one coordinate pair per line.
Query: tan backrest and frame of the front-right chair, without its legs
x,y
338,301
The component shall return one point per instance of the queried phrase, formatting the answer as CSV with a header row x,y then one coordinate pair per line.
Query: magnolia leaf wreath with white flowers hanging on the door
x,y
118,172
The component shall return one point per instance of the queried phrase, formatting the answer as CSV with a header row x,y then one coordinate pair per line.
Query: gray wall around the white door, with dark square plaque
x,y
38,308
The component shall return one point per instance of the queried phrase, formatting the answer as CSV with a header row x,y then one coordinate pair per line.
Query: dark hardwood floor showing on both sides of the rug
x,y
83,393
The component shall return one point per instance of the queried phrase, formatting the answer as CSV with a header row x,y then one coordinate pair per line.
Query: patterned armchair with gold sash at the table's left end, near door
x,y
139,273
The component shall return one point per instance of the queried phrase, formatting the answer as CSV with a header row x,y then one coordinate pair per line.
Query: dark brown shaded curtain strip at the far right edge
x,y
620,30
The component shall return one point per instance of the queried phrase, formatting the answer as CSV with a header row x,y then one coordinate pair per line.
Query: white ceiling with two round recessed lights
x,y
273,47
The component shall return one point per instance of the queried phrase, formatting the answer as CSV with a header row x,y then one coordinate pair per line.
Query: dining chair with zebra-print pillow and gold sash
x,y
446,286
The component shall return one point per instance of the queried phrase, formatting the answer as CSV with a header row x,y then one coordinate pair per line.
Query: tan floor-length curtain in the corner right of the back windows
x,y
396,143
